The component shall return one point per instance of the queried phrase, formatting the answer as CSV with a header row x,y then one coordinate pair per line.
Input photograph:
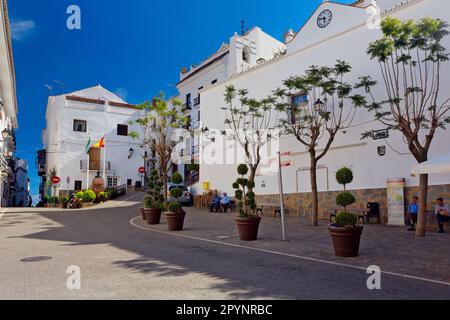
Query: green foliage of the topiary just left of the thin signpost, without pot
x,y
244,193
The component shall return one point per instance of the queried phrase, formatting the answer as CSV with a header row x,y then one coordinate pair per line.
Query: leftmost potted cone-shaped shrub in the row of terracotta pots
x,y
154,200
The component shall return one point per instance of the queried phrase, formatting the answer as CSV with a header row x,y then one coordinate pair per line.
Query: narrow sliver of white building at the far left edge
x,y
8,108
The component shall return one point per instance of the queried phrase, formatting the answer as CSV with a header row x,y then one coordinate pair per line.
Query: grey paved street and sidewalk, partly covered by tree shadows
x,y
122,258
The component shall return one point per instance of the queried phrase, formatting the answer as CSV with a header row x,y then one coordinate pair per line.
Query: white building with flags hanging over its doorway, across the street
x,y
90,114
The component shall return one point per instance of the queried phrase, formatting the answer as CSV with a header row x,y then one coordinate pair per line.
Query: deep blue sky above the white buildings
x,y
134,48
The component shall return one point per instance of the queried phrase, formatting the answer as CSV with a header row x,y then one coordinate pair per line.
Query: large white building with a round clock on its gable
x,y
345,35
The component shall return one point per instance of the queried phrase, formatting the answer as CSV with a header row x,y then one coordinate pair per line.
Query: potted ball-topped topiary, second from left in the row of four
x,y
175,214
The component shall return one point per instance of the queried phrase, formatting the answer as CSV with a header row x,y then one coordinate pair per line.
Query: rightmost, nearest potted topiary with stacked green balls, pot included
x,y
345,233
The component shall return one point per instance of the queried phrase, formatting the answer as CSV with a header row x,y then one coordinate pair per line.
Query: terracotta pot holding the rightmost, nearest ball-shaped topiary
x,y
346,240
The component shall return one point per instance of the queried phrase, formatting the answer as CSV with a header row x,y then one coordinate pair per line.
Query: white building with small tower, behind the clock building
x,y
241,53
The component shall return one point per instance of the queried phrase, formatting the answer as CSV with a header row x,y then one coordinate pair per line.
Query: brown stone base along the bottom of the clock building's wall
x,y
299,204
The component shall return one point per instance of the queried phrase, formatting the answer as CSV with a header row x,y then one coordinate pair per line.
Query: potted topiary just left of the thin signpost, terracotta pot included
x,y
247,222
